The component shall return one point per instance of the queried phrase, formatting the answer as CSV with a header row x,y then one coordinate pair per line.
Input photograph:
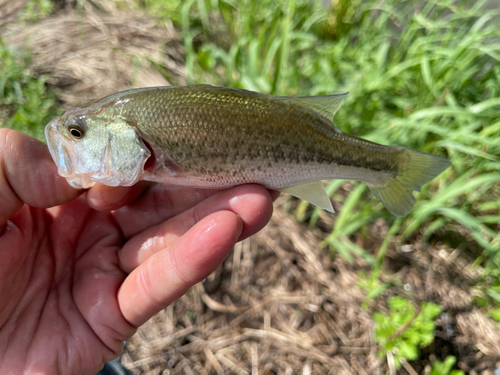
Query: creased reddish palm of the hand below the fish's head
x,y
63,295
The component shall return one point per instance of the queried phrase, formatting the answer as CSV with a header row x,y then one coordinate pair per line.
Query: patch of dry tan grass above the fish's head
x,y
90,54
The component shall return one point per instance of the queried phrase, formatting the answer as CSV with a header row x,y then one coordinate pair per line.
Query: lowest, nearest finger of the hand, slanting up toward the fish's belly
x,y
168,273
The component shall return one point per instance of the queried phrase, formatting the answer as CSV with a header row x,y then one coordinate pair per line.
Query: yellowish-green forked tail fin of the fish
x,y
417,169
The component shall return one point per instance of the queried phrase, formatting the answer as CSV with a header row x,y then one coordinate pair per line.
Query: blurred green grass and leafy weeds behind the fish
x,y
421,74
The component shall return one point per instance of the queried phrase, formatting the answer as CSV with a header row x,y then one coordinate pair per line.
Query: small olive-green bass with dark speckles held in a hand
x,y
214,137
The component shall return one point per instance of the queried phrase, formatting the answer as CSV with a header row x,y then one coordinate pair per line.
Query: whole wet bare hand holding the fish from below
x,y
80,271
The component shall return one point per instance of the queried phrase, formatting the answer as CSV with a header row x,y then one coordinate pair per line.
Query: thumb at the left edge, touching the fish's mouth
x,y
28,175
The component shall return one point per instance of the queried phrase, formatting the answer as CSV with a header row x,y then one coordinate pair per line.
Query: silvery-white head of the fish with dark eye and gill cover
x,y
96,145
